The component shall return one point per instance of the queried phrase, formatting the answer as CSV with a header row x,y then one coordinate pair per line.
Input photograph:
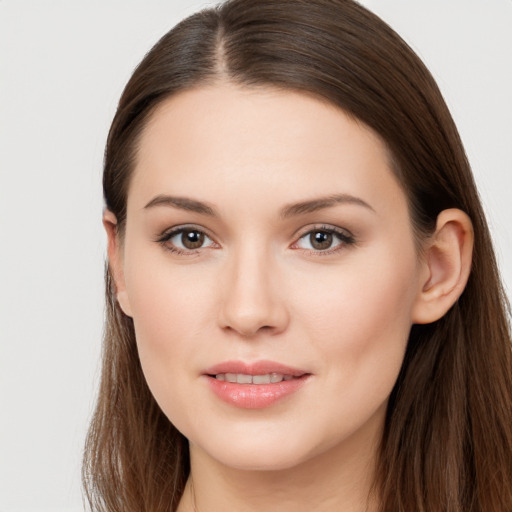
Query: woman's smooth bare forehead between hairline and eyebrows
x,y
226,140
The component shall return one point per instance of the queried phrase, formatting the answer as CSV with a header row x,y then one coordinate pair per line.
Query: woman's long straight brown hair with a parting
x,y
447,444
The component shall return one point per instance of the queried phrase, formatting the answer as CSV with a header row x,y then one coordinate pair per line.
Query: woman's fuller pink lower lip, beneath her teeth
x,y
255,396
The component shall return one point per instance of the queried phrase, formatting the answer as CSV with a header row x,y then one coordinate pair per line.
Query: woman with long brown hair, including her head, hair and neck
x,y
304,310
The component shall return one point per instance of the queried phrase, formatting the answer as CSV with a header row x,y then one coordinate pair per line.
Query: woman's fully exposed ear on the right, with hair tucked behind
x,y
446,266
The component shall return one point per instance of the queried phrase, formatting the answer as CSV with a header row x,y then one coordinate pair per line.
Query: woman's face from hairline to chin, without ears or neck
x,y
267,243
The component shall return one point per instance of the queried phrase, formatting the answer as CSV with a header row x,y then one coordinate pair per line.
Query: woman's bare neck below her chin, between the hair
x,y
340,478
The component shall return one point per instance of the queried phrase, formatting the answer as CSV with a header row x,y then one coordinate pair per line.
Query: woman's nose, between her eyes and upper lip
x,y
253,300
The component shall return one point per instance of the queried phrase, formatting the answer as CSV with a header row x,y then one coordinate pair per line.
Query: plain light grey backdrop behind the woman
x,y
63,65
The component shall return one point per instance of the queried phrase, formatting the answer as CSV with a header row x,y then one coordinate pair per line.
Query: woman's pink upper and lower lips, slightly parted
x,y
254,396
